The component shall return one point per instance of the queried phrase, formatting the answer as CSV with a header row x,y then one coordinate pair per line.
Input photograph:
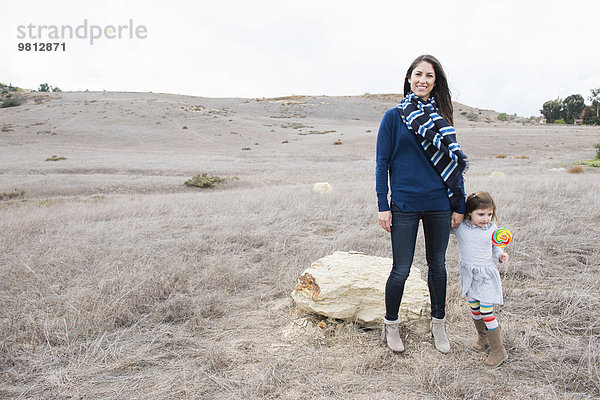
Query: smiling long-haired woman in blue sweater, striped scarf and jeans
x,y
417,150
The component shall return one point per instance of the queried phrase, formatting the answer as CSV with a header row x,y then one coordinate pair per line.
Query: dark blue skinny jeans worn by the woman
x,y
436,228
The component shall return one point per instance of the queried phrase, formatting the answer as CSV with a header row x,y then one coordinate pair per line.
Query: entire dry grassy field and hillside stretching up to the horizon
x,y
119,282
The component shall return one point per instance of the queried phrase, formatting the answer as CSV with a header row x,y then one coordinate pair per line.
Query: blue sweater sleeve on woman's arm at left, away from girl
x,y
384,155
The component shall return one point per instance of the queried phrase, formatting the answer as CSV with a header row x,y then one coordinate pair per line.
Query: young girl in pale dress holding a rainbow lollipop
x,y
479,275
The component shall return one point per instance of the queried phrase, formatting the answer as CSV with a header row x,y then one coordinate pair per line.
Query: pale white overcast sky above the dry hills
x,y
506,55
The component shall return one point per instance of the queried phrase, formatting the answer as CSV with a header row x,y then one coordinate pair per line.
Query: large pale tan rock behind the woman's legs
x,y
351,286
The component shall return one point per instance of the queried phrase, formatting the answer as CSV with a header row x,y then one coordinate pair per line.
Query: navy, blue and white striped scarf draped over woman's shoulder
x,y
438,139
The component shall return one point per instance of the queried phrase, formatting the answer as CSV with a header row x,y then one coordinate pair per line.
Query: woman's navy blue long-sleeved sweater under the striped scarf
x,y
414,183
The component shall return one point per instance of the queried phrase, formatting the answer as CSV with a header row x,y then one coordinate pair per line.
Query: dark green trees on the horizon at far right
x,y
573,109
